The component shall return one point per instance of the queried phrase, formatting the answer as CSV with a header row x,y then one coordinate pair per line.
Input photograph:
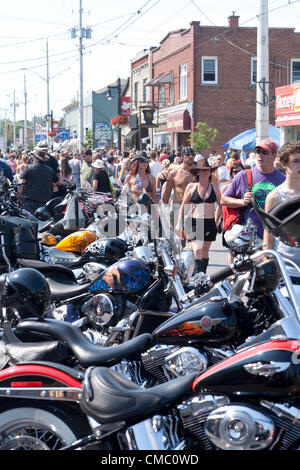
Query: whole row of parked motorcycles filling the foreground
x,y
115,343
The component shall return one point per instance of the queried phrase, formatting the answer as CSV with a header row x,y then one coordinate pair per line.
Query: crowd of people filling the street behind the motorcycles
x,y
204,195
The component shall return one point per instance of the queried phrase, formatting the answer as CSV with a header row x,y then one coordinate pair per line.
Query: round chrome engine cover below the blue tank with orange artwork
x,y
100,309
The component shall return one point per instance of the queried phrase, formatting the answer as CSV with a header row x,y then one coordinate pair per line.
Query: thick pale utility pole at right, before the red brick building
x,y
262,86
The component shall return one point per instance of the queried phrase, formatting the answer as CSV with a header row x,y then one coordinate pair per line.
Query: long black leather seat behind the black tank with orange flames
x,y
87,353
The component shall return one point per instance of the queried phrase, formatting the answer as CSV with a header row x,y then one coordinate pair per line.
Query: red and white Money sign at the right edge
x,y
287,105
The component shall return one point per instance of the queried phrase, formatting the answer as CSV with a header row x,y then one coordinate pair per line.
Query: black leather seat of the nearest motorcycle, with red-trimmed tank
x,y
109,396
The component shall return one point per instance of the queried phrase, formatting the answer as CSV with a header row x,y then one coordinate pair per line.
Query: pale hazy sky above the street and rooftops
x,y
120,30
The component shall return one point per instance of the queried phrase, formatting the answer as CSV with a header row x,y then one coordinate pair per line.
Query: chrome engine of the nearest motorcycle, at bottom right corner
x,y
214,422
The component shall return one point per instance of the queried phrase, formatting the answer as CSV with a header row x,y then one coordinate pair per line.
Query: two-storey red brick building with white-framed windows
x,y
208,74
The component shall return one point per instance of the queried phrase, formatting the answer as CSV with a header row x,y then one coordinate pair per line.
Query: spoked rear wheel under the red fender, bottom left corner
x,y
33,429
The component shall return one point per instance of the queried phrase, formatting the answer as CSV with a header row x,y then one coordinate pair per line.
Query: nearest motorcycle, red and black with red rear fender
x,y
247,401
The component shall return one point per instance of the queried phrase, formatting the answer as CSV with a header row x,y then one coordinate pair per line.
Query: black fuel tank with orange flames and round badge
x,y
211,323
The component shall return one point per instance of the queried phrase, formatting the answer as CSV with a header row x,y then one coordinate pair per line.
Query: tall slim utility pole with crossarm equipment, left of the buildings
x,y
83,33
